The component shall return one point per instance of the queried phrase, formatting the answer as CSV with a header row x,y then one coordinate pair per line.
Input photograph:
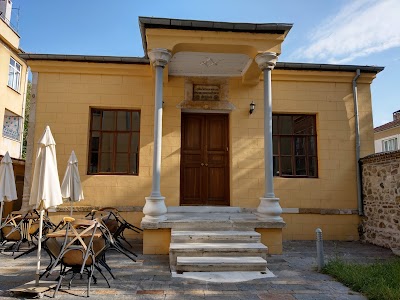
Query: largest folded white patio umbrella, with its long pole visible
x,y
45,191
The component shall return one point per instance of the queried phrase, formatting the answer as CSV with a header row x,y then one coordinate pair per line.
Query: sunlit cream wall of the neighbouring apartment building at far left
x,y
10,99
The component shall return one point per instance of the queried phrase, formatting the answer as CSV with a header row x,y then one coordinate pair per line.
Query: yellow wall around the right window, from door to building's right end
x,y
329,96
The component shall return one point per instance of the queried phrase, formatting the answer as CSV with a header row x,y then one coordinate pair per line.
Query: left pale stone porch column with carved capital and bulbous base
x,y
155,208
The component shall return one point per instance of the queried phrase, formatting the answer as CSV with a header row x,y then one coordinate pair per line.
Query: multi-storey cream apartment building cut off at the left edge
x,y
13,87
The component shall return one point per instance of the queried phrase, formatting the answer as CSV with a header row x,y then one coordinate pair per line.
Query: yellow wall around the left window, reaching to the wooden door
x,y
64,102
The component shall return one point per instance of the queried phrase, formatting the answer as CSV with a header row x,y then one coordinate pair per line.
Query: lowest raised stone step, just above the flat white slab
x,y
220,264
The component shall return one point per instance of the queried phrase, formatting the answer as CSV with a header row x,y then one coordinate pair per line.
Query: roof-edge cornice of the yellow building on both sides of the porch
x,y
124,64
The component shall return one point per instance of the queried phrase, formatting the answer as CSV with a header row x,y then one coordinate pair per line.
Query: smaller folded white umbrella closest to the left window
x,y
71,188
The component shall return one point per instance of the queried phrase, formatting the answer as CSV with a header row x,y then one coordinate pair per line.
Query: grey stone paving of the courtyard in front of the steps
x,y
150,278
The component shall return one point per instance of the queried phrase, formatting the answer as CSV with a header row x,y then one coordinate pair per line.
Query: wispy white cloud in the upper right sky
x,y
360,28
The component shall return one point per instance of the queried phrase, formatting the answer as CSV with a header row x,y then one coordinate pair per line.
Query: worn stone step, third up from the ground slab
x,y
189,236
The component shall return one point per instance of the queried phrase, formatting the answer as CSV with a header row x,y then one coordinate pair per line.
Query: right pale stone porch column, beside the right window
x,y
269,208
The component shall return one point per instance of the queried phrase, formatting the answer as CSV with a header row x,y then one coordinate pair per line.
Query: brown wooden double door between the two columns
x,y
204,159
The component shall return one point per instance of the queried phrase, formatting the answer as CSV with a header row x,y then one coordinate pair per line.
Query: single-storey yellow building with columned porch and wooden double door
x,y
209,124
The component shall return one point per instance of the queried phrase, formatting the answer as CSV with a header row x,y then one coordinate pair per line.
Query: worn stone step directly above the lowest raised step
x,y
215,249
